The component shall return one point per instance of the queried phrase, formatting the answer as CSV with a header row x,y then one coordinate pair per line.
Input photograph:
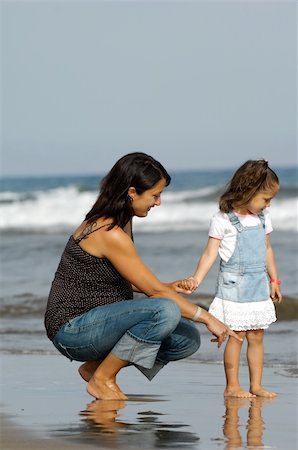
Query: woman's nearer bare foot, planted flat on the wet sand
x,y
105,389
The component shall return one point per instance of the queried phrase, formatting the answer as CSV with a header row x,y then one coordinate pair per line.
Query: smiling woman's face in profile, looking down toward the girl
x,y
142,203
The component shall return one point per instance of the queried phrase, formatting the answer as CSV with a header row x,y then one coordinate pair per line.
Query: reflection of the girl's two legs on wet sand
x,y
255,423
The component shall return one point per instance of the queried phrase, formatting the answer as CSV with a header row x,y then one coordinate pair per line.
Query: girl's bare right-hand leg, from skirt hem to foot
x,y
255,359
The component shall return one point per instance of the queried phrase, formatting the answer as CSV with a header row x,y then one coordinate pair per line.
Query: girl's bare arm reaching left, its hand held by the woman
x,y
205,263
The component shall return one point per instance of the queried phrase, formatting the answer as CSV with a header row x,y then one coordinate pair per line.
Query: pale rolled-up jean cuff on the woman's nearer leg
x,y
136,351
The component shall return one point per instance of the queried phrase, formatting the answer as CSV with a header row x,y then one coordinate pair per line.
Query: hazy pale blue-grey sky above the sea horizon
x,y
196,84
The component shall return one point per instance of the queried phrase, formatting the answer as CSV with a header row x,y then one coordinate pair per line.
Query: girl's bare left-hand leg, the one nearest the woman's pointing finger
x,y
231,363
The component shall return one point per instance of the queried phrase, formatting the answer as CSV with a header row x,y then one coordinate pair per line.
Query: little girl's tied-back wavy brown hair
x,y
253,176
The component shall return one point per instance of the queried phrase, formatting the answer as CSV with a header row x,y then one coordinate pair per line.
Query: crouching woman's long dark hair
x,y
136,170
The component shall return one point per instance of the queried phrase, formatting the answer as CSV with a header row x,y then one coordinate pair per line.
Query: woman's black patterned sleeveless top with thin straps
x,y
82,282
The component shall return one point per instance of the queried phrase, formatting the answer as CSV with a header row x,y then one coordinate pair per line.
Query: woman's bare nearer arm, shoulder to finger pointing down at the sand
x,y
121,252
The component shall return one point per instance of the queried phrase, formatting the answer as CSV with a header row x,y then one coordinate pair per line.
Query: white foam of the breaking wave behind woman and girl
x,y
64,208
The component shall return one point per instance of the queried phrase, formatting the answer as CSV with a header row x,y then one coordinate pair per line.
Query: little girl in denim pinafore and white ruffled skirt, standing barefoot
x,y
239,232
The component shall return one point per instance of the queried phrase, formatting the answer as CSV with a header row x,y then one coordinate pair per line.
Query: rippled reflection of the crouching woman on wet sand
x,y
108,427
